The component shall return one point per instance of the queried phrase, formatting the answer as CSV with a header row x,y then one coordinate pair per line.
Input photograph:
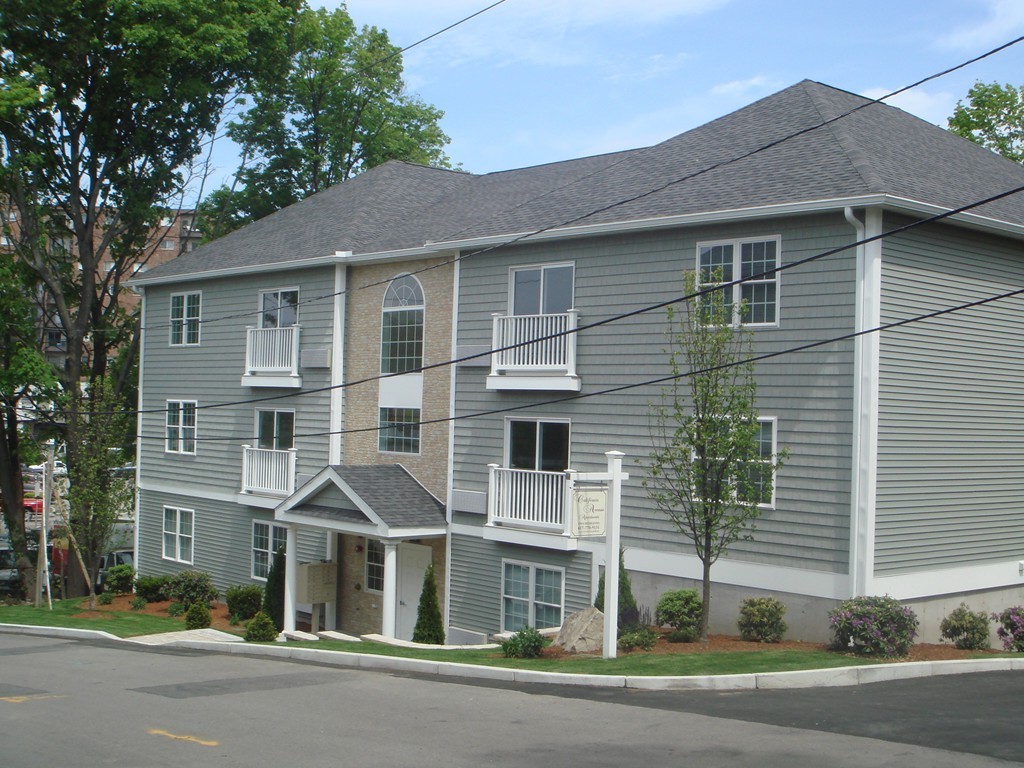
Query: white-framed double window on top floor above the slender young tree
x,y
724,262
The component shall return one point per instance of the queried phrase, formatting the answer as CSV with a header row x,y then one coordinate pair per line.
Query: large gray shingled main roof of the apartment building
x,y
877,150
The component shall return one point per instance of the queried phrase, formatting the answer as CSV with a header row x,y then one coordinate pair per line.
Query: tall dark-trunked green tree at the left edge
x,y
104,106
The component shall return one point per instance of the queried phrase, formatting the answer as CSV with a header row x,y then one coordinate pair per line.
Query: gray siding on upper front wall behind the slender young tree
x,y
810,394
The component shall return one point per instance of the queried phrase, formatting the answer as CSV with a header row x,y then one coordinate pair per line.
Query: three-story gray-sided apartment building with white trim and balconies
x,y
904,476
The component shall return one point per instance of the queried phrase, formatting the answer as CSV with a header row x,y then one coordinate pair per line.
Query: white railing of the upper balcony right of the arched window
x,y
551,354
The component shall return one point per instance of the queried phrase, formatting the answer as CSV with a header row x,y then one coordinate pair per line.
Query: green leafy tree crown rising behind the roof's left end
x,y
343,108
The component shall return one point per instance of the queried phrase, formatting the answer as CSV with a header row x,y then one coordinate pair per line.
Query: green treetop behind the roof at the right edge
x,y
994,117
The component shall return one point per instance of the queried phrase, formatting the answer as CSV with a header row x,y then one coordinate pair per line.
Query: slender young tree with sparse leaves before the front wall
x,y
708,473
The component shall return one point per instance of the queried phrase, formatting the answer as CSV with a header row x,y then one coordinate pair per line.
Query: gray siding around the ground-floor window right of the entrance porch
x,y
477,580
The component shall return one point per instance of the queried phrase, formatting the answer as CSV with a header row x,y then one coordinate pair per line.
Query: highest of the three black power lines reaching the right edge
x,y
632,199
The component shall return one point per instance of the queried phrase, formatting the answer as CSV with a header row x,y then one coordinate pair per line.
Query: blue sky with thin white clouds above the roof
x,y
539,81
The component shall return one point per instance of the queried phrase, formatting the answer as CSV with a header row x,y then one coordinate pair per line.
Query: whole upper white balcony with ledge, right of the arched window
x,y
534,353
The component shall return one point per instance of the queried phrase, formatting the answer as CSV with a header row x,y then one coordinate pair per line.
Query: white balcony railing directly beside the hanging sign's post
x,y
528,499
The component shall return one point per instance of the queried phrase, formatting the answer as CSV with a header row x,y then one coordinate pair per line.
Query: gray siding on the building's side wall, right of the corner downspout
x,y
951,424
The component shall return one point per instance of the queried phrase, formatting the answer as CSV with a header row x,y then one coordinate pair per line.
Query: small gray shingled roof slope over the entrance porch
x,y
395,495
